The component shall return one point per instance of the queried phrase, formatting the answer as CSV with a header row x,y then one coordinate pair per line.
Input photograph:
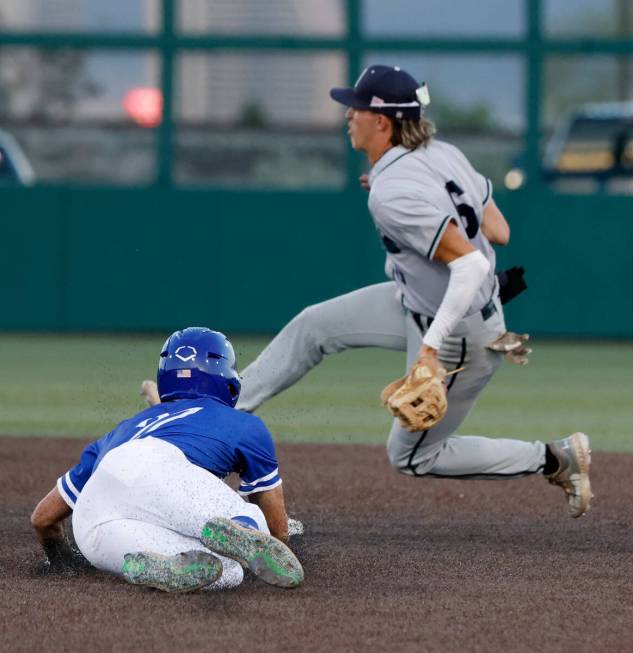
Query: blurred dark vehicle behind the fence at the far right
x,y
591,150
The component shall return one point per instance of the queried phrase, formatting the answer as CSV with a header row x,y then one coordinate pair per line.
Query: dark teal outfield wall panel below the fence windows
x,y
152,259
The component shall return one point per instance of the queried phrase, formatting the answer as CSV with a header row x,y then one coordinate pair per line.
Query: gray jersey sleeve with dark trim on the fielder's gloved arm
x,y
413,223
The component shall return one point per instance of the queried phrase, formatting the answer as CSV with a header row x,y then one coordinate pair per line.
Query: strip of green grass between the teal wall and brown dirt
x,y
82,385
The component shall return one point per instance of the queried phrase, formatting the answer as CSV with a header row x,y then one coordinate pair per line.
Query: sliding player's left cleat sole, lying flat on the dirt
x,y
183,572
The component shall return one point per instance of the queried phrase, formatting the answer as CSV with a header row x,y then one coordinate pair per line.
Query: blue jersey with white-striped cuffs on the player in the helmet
x,y
210,434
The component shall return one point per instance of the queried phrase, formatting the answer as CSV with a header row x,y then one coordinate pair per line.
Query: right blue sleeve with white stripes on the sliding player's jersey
x,y
260,466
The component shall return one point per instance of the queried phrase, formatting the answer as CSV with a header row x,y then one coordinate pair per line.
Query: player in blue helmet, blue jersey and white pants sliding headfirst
x,y
147,499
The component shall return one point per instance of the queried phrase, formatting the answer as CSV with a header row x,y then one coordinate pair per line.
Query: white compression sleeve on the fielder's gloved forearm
x,y
467,274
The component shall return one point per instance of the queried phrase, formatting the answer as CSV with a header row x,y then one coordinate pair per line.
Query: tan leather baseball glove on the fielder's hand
x,y
418,399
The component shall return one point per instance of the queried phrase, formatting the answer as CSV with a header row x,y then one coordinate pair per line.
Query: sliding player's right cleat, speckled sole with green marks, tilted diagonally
x,y
267,557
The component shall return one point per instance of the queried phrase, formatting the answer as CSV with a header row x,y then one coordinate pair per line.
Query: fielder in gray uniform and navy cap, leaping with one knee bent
x,y
437,220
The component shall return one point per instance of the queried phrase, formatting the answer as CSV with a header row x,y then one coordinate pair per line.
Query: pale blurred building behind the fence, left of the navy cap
x,y
280,87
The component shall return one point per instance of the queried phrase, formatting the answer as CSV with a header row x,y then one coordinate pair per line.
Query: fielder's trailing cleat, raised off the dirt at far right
x,y
574,457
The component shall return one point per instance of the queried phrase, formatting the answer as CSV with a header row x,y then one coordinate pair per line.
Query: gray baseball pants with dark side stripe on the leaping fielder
x,y
374,317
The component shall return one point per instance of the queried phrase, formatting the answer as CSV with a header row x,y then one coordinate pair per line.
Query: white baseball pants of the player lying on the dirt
x,y
146,496
